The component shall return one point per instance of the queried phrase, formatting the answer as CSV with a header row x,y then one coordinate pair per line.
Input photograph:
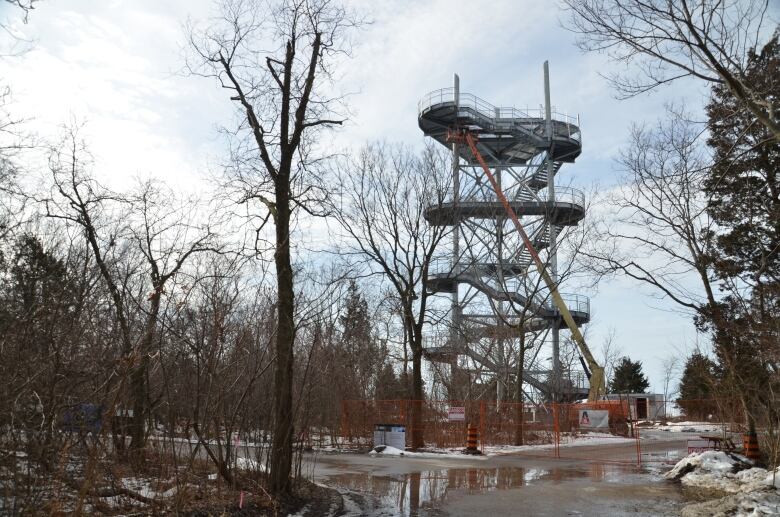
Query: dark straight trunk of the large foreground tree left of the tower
x,y
281,447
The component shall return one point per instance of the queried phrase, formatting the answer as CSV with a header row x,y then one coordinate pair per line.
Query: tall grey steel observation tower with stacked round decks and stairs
x,y
495,291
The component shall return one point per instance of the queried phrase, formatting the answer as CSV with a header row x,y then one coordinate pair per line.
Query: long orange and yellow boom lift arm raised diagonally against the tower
x,y
596,375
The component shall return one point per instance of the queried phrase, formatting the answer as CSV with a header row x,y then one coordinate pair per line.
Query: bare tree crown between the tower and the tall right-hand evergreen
x,y
655,228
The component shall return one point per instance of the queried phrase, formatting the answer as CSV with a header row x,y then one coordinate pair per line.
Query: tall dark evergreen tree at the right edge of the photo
x,y
743,186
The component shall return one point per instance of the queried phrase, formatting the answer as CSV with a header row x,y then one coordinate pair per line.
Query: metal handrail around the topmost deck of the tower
x,y
495,113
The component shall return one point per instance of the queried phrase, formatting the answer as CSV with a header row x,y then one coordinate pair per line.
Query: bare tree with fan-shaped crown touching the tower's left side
x,y
386,192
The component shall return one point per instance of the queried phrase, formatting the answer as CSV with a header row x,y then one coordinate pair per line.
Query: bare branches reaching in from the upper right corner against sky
x,y
707,40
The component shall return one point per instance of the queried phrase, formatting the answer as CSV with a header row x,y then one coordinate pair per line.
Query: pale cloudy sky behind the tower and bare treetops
x,y
117,65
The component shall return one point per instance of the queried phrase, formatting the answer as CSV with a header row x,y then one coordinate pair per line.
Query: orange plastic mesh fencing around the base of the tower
x,y
550,425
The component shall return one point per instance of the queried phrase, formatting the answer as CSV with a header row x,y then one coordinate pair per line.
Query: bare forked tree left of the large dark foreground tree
x,y
162,235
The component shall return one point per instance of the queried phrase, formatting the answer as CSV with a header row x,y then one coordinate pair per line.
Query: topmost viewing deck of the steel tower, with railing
x,y
506,135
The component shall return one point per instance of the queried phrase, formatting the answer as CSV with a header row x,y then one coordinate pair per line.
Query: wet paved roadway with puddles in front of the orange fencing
x,y
514,484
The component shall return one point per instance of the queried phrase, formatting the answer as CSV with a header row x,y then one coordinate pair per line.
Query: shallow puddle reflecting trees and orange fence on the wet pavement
x,y
421,493
